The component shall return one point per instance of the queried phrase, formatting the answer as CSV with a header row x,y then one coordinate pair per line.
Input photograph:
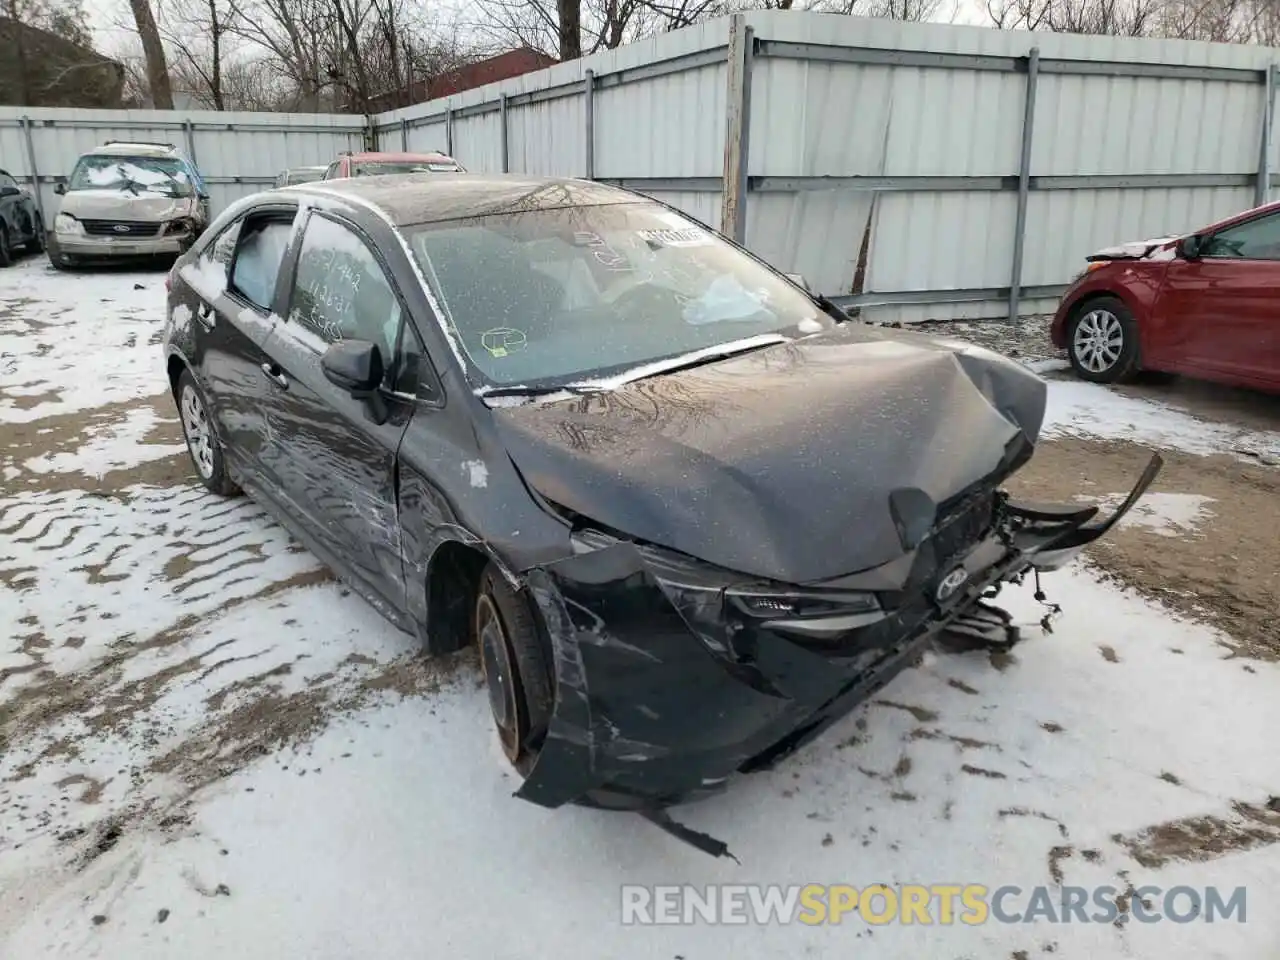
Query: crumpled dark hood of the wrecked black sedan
x,y
781,464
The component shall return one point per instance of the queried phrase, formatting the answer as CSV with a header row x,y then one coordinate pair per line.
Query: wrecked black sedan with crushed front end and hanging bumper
x,y
691,514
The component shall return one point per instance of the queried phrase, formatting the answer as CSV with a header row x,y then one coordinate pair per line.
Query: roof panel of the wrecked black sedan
x,y
432,198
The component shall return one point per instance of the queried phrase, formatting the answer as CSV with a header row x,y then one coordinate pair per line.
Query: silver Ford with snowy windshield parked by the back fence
x,y
129,200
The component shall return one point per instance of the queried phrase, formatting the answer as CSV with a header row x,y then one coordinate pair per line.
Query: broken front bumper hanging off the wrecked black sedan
x,y
666,687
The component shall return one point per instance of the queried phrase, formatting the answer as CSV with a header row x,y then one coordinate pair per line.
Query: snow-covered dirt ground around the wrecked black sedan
x,y
212,749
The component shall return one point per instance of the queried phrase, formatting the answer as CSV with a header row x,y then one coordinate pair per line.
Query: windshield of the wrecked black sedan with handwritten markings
x,y
561,296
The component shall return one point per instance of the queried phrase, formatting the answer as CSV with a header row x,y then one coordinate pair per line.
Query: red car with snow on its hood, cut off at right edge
x,y
1205,305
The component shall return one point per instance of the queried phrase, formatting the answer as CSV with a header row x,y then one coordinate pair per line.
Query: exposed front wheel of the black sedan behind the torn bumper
x,y
516,669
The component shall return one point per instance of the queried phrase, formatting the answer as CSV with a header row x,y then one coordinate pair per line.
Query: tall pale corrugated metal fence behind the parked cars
x,y
920,171
